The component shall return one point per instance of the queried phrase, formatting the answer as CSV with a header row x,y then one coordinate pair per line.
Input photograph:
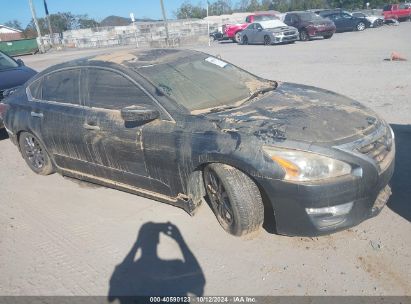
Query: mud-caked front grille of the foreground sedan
x,y
379,148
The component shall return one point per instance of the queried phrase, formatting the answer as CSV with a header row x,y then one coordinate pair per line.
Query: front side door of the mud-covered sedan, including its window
x,y
116,148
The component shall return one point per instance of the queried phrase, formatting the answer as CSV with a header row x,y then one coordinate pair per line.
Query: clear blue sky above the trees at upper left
x,y
97,9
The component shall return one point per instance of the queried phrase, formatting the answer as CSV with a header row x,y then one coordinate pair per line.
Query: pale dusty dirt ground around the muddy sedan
x,y
59,237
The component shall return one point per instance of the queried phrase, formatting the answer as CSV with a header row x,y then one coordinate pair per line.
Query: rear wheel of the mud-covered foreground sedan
x,y
35,154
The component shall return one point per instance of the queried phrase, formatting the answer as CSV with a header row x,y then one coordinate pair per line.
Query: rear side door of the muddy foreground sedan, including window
x,y
57,116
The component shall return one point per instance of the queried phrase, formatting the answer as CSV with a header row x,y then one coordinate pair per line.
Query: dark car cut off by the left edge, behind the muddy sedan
x,y
13,73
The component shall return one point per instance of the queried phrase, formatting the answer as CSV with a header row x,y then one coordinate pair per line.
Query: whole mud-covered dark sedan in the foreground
x,y
178,125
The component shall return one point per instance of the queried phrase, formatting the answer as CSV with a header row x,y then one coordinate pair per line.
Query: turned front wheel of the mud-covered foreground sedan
x,y
235,199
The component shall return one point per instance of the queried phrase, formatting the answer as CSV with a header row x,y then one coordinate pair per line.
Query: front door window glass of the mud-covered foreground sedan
x,y
113,91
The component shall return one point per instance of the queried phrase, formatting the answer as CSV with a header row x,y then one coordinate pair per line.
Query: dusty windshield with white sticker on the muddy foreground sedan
x,y
202,83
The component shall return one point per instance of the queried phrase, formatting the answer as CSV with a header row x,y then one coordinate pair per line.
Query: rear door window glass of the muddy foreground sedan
x,y
62,86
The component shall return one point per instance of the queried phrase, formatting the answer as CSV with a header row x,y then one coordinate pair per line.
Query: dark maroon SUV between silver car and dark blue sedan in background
x,y
310,25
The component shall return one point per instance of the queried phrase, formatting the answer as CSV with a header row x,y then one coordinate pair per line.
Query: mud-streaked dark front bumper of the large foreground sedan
x,y
291,201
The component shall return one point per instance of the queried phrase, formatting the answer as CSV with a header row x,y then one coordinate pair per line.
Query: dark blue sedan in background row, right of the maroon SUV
x,y
344,21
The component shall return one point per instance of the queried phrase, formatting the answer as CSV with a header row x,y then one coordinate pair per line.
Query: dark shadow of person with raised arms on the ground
x,y
150,275
